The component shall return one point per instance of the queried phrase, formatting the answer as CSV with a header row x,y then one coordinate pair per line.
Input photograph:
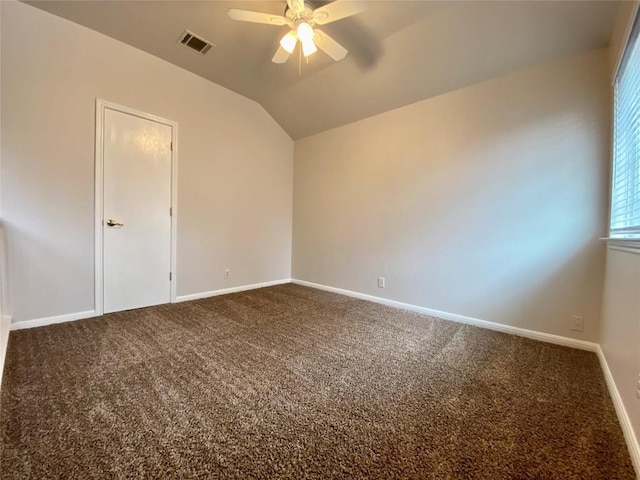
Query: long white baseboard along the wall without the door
x,y
521,332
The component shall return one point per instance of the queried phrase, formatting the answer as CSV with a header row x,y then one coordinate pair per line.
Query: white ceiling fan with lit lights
x,y
302,19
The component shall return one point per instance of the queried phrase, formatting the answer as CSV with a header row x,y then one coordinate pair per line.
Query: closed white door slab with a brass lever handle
x,y
136,212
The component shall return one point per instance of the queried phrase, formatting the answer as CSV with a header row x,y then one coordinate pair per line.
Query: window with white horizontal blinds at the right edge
x,y
625,192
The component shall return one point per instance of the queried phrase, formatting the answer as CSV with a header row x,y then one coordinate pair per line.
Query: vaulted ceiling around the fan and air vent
x,y
400,52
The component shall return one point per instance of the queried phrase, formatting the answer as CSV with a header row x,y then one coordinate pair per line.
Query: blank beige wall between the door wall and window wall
x,y
486,202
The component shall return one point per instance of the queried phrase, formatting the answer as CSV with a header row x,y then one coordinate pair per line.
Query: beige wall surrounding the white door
x,y
235,165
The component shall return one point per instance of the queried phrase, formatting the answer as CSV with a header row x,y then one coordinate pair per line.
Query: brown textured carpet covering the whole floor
x,y
292,382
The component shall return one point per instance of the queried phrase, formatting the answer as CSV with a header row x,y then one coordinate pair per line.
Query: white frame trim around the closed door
x,y
101,106
